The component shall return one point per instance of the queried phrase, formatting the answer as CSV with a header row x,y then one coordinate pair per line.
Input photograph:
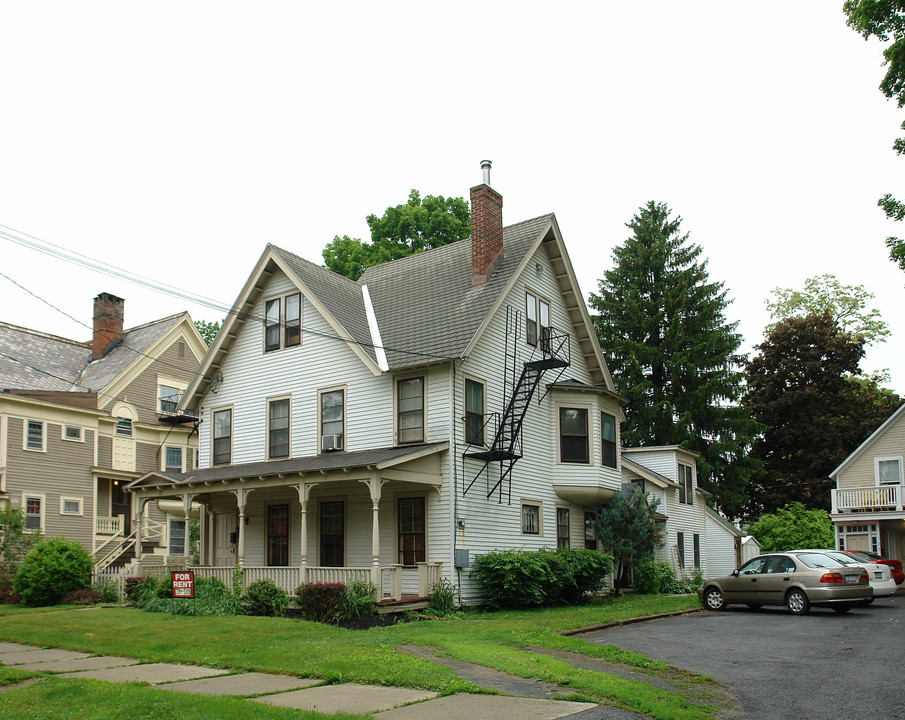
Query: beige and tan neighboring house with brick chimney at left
x,y
81,420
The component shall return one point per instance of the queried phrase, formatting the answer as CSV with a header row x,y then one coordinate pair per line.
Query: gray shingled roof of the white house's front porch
x,y
310,464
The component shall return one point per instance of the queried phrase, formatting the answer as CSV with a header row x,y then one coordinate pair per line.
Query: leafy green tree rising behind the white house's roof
x,y
416,225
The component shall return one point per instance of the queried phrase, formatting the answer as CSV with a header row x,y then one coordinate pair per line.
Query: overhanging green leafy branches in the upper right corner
x,y
885,20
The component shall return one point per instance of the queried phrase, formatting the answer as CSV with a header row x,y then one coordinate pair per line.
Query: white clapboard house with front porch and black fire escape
x,y
445,405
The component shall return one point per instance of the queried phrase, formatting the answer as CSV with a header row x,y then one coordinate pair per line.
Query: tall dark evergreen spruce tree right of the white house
x,y
673,355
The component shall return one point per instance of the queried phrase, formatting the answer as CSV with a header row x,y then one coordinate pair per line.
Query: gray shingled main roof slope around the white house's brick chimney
x,y
425,305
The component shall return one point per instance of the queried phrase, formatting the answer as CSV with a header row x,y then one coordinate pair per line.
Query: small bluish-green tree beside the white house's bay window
x,y
628,531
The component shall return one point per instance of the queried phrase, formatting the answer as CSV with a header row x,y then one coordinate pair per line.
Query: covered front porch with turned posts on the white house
x,y
335,517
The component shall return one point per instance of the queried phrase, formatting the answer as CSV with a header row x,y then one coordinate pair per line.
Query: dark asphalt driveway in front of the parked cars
x,y
820,666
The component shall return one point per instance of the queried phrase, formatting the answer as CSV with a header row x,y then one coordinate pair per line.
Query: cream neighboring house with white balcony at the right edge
x,y
868,503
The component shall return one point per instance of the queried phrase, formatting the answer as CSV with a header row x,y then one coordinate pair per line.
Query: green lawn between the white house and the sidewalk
x,y
498,640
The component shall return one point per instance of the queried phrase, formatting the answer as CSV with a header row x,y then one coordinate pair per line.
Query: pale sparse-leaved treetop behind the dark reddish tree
x,y
845,304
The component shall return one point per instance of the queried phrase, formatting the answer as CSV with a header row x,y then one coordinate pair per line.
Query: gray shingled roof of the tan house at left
x,y
30,360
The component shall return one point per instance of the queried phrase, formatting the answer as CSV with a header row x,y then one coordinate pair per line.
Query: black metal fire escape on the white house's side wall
x,y
520,382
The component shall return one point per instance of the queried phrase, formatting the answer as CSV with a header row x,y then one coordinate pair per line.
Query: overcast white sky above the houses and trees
x,y
175,140
